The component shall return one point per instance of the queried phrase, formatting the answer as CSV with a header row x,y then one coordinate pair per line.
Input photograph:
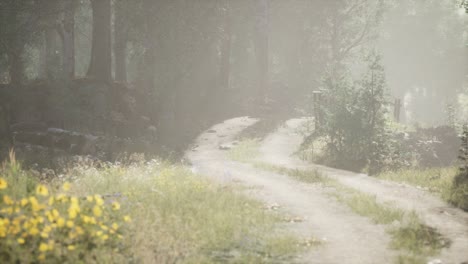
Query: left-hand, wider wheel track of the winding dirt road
x,y
347,238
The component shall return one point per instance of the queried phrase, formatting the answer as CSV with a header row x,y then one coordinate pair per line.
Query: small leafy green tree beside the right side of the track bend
x,y
355,120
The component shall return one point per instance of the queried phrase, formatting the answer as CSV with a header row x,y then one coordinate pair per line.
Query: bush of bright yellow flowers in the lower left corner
x,y
37,225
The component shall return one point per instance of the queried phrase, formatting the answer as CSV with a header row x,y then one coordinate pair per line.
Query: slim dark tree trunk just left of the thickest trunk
x,y
68,40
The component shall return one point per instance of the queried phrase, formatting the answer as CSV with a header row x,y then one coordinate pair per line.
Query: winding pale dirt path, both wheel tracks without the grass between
x,y
348,238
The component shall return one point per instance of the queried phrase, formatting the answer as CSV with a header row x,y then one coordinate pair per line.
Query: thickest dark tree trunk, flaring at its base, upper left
x,y
100,67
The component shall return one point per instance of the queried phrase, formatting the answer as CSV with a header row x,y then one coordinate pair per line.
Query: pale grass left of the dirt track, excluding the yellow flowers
x,y
176,215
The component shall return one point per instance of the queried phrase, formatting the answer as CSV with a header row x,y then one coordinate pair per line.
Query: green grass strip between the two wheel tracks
x,y
415,240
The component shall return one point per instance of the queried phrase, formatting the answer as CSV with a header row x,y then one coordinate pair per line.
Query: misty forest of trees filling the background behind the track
x,y
150,75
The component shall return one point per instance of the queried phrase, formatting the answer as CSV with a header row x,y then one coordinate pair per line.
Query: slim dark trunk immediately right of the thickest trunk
x,y
120,43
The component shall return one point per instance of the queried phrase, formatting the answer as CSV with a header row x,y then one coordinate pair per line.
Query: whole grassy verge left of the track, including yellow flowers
x,y
152,212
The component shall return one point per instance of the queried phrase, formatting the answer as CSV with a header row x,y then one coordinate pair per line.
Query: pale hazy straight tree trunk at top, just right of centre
x,y
261,49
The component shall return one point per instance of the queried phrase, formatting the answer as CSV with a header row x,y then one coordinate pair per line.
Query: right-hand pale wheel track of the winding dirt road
x,y
279,148
